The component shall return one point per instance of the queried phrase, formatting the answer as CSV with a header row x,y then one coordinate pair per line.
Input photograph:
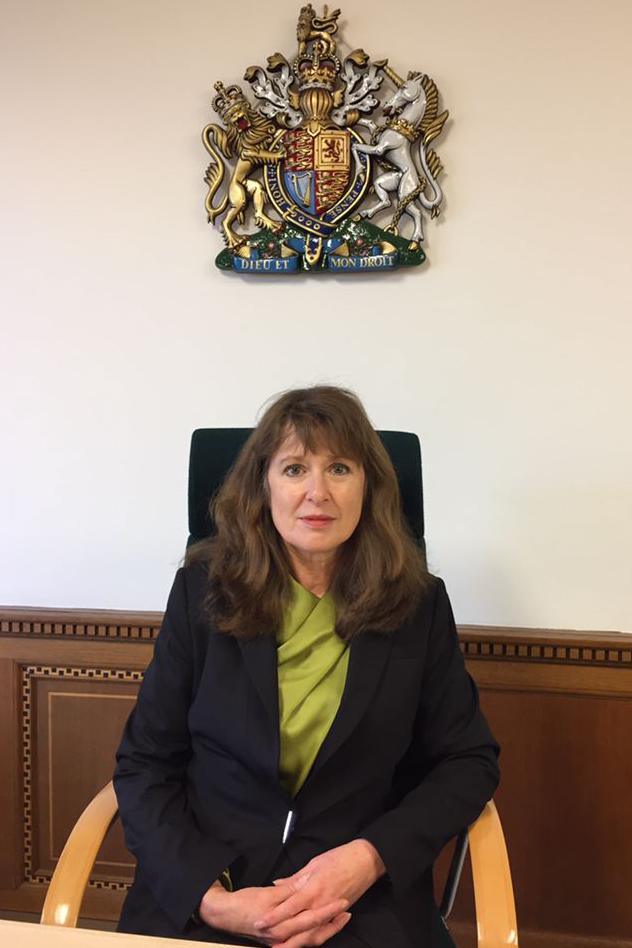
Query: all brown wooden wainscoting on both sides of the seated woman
x,y
560,704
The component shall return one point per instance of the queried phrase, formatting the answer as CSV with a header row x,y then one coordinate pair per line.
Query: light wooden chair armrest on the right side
x,y
493,891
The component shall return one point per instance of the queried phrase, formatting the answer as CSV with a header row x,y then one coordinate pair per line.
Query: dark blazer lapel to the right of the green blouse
x,y
368,655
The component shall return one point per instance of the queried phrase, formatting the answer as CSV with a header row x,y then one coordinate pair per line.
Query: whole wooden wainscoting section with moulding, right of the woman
x,y
562,710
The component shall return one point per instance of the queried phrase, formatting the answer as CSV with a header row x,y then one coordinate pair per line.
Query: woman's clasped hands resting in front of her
x,y
307,908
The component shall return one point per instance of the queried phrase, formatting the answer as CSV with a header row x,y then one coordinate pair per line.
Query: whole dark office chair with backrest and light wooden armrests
x,y
213,451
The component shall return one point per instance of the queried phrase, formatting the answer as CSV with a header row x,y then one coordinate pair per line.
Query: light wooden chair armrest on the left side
x,y
69,881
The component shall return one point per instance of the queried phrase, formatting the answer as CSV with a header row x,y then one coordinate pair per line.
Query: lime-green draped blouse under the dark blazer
x,y
312,670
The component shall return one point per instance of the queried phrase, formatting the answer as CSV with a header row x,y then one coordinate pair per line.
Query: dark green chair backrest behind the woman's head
x,y
213,451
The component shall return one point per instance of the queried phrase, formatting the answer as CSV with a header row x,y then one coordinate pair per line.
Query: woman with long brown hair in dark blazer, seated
x,y
306,738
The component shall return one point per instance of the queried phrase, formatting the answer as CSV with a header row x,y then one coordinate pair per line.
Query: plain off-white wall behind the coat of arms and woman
x,y
509,354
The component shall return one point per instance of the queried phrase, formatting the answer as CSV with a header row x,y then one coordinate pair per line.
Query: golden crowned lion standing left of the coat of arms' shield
x,y
248,136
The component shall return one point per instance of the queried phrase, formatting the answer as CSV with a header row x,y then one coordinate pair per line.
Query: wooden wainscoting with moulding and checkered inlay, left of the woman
x,y
74,677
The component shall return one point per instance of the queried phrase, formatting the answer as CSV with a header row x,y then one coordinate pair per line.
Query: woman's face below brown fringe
x,y
315,498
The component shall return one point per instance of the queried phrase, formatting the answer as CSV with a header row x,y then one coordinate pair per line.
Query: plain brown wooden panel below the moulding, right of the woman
x,y
567,813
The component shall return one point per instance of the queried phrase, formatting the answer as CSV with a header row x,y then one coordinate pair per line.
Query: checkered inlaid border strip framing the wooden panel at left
x,y
29,674
